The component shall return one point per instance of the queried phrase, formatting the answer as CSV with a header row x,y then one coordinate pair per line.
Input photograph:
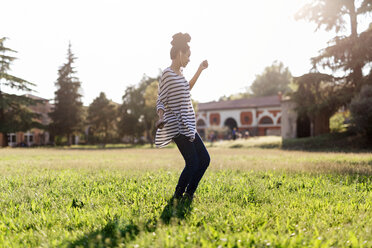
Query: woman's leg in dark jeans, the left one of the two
x,y
189,153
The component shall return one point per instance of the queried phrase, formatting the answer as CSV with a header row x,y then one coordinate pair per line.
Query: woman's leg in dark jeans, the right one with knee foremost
x,y
204,160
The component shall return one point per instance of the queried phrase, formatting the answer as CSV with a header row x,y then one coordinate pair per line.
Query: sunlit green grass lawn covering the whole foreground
x,y
249,197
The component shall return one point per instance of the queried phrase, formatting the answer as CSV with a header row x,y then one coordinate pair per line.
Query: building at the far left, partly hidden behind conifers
x,y
34,136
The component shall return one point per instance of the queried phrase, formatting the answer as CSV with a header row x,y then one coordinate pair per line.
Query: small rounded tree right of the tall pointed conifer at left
x,y
102,117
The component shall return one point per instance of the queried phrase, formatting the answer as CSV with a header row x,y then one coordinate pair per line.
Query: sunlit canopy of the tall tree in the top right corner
x,y
346,56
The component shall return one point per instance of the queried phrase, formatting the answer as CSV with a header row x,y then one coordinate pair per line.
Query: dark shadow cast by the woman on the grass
x,y
116,232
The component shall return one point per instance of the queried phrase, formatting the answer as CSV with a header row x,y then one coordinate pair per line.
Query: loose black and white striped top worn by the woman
x,y
175,99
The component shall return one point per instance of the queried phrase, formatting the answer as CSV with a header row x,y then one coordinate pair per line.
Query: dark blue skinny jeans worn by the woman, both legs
x,y
197,161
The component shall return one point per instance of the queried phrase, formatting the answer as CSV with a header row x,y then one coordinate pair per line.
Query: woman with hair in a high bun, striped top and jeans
x,y
177,117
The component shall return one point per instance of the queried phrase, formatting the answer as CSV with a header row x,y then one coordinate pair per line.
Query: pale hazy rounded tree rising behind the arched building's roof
x,y
275,78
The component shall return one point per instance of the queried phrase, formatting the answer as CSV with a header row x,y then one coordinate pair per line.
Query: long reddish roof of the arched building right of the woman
x,y
264,101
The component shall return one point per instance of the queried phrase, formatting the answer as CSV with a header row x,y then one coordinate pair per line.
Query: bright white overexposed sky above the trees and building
x,y
116,42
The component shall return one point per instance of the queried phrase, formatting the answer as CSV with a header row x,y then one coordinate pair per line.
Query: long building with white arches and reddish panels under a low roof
x,y
260,115
